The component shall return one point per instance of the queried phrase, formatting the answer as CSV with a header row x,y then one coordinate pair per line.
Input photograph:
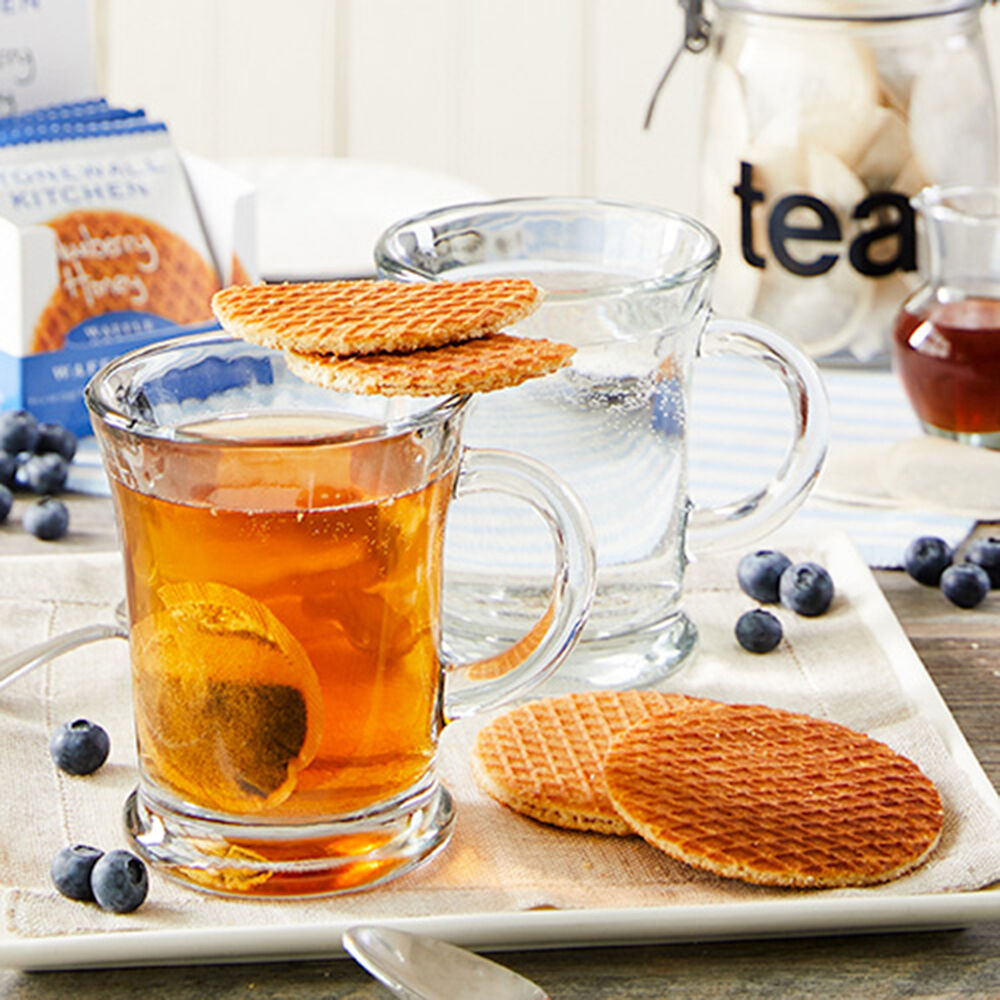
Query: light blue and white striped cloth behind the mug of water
x,y
741,424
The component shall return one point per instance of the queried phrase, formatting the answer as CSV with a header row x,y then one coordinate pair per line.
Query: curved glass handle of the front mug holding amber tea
x,y
484,684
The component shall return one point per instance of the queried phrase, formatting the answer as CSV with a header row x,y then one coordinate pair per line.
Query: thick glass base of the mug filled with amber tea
x,y
268,861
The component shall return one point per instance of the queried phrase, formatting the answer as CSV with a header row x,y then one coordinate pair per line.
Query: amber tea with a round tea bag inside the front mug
x,y
284,606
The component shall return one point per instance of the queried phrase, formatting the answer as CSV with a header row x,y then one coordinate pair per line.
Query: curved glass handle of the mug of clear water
x,y
751,517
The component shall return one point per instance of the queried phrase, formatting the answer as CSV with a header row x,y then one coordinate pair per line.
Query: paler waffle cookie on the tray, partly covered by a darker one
x,y
544,758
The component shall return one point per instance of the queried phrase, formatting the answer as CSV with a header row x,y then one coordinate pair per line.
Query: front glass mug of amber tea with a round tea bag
x,y
282,547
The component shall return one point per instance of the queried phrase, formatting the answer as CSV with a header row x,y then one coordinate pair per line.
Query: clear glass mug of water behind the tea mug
x,y
630,286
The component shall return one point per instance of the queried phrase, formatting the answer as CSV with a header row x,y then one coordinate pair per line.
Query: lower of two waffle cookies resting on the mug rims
x,y
495,361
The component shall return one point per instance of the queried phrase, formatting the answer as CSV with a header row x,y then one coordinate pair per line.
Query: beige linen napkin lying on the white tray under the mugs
x,y
853,665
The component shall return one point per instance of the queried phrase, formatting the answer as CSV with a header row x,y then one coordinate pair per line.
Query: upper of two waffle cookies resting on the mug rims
x,y
366,317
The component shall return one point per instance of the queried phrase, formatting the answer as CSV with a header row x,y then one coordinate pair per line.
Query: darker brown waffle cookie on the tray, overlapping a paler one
x,y
773,797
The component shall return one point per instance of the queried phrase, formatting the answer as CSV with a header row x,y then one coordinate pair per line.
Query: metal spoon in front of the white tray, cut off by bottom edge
x,y
422,968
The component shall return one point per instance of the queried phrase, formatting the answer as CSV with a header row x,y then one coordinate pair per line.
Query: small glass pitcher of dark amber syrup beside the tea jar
x,y
946,342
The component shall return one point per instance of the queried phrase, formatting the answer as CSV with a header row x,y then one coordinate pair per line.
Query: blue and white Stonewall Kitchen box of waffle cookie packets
x,y
96,282
